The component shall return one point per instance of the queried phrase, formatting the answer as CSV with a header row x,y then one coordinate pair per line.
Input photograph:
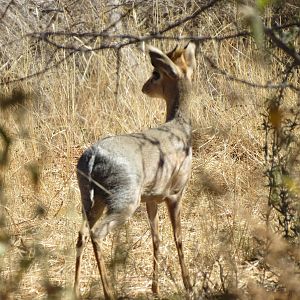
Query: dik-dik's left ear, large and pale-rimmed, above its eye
x,y
163,63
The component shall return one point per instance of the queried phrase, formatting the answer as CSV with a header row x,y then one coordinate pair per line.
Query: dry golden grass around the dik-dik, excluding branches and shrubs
x,y
73,105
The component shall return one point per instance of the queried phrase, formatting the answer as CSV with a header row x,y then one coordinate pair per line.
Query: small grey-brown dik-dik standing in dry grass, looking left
x,y
153,166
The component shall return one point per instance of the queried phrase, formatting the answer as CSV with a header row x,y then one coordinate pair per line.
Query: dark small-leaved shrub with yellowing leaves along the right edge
x,y
282,150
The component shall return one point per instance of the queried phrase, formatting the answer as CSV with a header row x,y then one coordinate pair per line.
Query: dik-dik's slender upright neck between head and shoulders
x,y
178,103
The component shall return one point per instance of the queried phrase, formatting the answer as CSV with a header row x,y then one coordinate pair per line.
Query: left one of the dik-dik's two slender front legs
x,y
153,220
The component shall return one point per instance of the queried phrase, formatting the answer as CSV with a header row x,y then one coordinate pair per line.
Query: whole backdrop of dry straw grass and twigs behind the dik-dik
x,y
85,95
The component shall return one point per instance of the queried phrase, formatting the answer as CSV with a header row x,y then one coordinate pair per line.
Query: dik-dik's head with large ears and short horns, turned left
x,y
169,69
